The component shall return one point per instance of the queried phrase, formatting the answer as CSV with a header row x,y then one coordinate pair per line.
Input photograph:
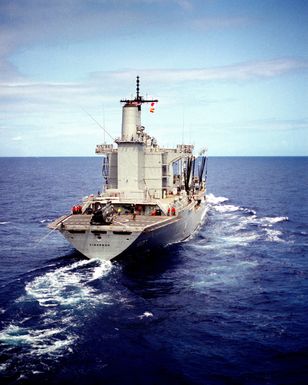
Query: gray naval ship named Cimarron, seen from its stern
x,y
152,196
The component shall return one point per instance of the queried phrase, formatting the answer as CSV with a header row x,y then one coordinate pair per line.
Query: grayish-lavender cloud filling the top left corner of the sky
x,y
28,23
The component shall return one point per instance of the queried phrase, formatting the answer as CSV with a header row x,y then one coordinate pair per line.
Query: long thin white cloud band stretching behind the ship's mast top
x,y
30,96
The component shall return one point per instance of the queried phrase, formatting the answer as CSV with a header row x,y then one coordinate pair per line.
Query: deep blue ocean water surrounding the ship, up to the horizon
x,y
229,306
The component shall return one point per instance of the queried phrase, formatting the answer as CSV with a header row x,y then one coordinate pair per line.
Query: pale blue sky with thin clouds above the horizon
x,y
230,75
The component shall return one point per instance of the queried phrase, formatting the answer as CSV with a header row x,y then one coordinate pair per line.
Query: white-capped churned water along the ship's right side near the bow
x,y
234,242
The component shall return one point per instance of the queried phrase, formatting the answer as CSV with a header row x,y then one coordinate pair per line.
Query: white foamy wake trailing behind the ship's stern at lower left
x,y
52,305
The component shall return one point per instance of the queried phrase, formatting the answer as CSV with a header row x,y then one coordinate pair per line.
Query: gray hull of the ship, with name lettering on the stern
x,y
127,236
